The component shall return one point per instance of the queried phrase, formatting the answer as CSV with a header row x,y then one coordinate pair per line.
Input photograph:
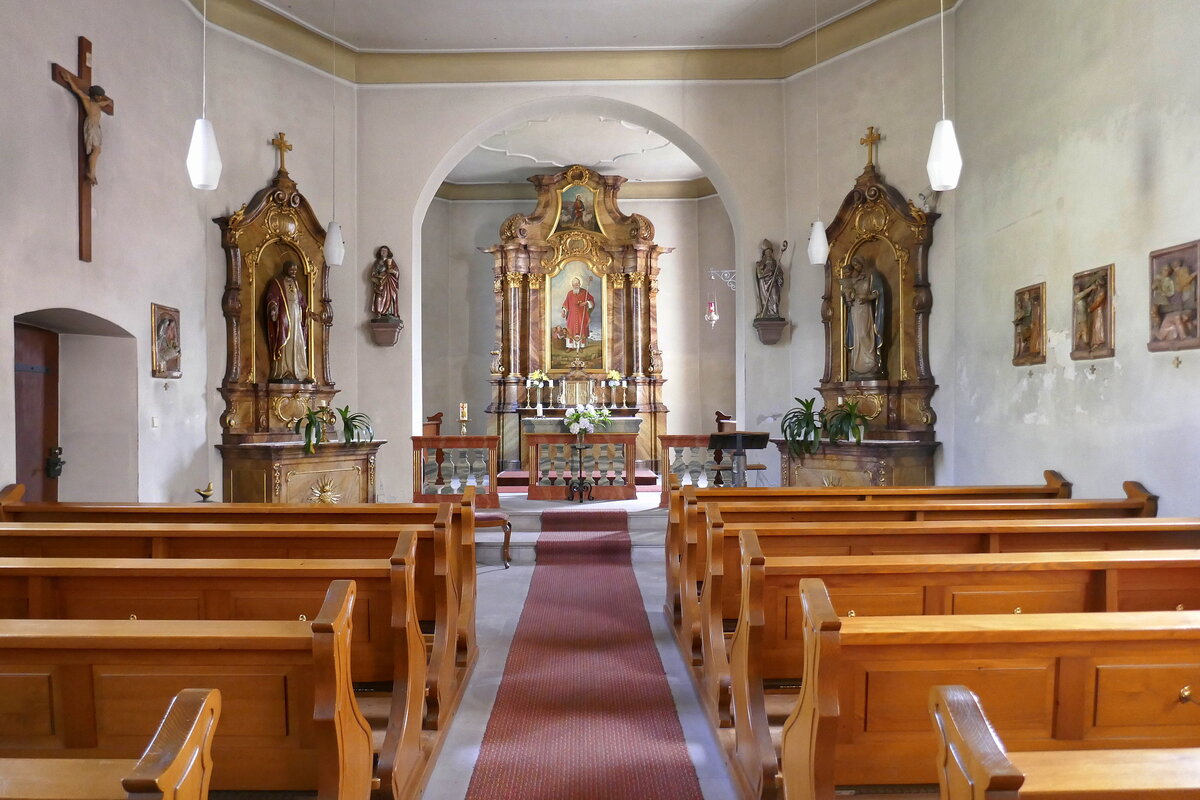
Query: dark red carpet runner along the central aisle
x,y
584,711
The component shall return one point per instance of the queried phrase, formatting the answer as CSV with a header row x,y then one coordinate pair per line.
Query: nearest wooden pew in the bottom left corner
x,y
177,765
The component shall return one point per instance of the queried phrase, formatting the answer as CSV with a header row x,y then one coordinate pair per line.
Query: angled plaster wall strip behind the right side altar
x,y
895,86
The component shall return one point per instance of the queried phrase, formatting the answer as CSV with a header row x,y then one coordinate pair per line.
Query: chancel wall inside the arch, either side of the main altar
x,y
459,306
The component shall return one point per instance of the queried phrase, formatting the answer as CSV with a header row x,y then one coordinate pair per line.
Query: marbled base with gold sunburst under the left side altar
x,y
285,473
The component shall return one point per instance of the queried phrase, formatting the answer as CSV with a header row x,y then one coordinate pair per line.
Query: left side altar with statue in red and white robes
x,y
279,316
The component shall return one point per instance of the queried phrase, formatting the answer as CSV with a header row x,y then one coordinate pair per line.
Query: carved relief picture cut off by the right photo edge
x,y
1173,298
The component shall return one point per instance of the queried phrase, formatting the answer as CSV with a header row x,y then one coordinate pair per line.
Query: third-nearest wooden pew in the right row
x,y
769,643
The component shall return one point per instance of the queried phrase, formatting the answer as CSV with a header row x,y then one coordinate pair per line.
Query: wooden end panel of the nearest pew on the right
x,y
971,760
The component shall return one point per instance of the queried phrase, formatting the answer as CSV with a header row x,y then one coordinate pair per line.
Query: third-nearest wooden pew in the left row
x,y
387,645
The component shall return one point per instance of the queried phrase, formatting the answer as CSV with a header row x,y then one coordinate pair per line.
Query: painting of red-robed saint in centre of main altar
x,y
575,317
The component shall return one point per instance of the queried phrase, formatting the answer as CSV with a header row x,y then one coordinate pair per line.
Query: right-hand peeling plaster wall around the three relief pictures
x,y
1078,125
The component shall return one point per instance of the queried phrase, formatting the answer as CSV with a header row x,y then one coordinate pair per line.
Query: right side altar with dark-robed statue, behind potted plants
x,y
875,311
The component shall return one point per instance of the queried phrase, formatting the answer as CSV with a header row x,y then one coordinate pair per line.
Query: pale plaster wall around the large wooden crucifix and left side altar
x,y
153,240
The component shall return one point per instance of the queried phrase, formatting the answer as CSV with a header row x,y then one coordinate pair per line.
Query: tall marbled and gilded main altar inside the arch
x,y
577,288
